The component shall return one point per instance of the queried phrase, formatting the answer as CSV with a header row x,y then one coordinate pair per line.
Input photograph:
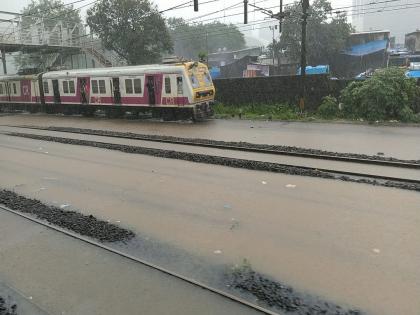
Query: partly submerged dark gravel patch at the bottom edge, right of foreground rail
x,y
279,296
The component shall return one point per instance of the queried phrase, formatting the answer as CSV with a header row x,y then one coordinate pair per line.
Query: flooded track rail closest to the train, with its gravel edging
x,y
241,146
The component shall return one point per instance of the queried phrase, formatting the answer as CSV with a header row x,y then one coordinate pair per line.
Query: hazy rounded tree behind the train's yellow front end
x,y
190,40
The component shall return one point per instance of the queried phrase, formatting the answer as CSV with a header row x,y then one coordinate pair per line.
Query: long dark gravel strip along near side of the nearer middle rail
x,y
230,162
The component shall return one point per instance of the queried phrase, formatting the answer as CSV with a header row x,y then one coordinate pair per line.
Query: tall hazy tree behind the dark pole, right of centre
x,y
326,35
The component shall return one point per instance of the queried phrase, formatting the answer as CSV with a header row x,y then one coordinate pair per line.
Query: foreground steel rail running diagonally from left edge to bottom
x,y
142,262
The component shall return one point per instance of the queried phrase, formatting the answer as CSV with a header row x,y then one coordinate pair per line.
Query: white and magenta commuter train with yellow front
x,y
169,91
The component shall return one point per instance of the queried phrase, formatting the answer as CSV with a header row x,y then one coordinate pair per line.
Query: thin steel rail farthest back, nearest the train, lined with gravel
x,y
197,143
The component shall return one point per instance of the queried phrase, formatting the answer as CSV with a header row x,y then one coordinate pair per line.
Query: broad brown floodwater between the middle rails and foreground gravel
x,y
354,244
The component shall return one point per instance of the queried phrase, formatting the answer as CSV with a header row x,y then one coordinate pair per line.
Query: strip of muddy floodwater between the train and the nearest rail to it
x,y
399,142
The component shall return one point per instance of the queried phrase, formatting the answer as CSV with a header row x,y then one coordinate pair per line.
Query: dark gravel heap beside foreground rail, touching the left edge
x,y
86,225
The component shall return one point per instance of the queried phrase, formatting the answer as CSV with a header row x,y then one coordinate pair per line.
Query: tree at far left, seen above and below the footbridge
x,y
45,15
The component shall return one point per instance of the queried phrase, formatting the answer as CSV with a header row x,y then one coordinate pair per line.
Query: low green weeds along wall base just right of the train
x,y
258,111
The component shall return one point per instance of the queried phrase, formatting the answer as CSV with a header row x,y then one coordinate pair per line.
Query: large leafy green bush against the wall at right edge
x,y
387,95
